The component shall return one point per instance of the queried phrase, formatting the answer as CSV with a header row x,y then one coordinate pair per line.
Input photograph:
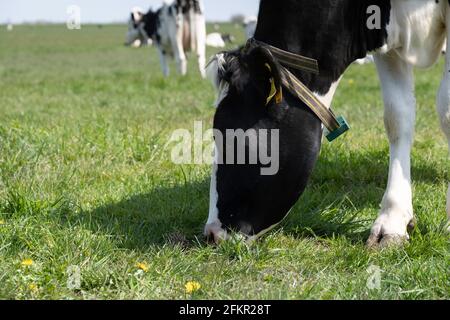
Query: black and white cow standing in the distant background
x,y
176,28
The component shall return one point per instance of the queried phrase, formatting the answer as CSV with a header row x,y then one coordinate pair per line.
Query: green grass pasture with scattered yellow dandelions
x,y
87,184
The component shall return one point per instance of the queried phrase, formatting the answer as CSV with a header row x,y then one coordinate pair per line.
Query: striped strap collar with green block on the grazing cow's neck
x,y
336,126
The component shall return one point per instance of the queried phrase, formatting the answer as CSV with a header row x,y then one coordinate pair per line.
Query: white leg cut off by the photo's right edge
x,y
443,106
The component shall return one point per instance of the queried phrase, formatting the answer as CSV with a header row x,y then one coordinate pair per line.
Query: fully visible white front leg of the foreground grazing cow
x,y
396,213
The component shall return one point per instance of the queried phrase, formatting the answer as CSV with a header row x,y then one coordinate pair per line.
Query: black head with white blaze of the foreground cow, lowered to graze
x,y
245,197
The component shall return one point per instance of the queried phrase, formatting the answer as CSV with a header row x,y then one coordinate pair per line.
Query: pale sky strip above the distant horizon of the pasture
x,y
104,11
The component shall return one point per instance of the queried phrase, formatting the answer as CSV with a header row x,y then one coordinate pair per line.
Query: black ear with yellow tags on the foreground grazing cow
x,y
265,69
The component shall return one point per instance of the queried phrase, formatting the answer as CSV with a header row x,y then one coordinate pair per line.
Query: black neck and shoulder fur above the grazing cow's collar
x,y
334,32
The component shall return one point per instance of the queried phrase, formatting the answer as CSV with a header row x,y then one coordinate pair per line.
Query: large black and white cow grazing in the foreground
x,y
403,34
